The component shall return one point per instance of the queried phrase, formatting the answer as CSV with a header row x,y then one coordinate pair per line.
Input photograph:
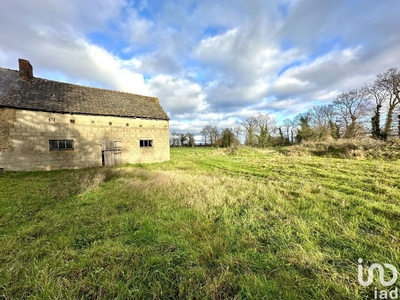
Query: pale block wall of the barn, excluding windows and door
x,y
28,134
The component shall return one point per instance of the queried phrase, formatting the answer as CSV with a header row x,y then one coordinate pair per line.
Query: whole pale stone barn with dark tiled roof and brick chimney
x,y
47,125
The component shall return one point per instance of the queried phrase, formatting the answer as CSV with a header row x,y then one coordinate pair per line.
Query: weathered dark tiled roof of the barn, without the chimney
x,y
53,96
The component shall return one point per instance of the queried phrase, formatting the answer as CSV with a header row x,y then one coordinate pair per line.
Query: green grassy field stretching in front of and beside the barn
x,y
209,224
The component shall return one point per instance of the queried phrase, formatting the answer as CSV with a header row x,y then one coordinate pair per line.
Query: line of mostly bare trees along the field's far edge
x,y
366,111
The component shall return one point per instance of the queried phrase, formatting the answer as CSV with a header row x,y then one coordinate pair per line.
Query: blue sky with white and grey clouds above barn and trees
x,y
209,62
